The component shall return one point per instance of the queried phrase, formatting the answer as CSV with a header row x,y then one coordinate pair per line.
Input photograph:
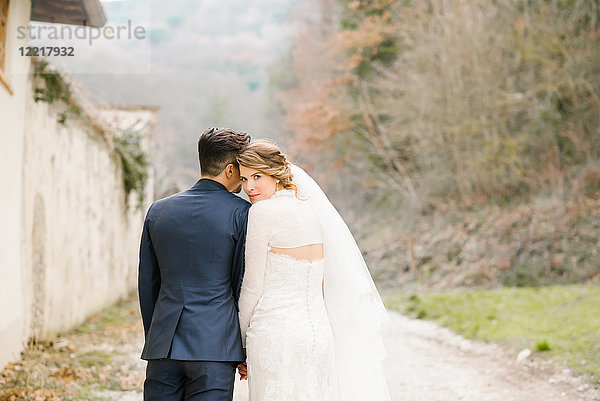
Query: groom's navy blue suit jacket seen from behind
x,y
190,273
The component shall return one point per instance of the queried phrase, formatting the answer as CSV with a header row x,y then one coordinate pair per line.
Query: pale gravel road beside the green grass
x,y
426,362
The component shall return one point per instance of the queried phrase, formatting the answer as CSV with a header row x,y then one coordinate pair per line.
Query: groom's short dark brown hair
x,y
218,147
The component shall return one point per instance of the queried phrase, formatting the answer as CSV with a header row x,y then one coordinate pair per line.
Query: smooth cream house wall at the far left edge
x,y
12,117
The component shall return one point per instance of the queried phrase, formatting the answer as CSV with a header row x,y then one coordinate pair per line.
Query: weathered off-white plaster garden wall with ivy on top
x,y
81,237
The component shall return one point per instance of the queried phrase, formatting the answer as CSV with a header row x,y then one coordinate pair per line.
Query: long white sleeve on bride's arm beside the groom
x,y
257,246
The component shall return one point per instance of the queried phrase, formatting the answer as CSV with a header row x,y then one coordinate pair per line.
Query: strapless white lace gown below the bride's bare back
x,y
289,339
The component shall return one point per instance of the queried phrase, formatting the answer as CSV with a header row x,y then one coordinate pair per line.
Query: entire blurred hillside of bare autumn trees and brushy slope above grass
x,y
430,122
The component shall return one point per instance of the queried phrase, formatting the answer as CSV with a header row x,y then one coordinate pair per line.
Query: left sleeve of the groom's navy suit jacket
x,y
148,276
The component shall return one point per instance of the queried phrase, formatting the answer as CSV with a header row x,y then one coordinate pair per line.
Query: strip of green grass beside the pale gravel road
x,y
563,322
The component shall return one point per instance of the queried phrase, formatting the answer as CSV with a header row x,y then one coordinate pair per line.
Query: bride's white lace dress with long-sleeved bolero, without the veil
x,y
284,323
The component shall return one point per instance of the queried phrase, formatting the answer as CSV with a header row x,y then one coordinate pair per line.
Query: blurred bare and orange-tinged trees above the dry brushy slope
x,y
445,101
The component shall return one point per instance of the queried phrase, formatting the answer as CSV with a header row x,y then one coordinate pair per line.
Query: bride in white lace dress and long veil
x,y
309,312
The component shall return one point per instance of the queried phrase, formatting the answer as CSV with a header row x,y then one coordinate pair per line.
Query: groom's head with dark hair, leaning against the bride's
x,y
218,149
